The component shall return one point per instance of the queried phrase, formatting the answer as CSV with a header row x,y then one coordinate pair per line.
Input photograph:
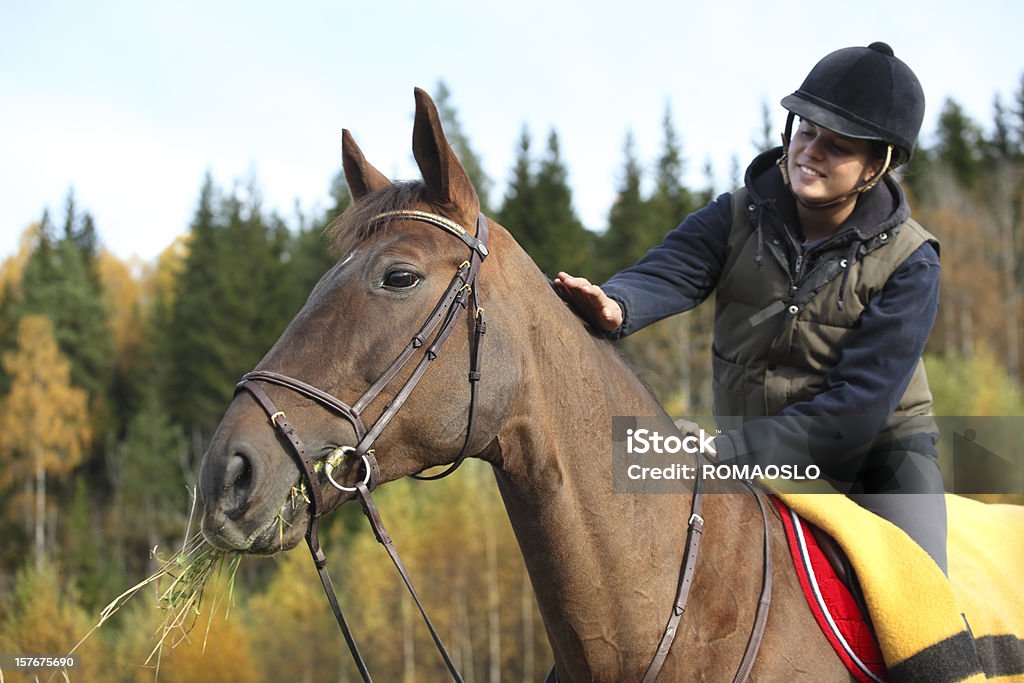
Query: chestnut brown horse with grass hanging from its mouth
x,y
605,566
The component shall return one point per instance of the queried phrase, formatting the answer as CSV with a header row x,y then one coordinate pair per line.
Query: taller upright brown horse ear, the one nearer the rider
x,y
446,179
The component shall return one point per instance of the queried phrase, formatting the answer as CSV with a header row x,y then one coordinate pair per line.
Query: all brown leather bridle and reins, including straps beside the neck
x,y
461,294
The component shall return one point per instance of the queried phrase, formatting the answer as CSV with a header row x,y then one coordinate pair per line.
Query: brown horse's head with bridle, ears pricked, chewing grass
x,y
357,412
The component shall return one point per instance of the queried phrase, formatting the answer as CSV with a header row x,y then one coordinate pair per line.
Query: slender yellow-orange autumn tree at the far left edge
x,y
45,422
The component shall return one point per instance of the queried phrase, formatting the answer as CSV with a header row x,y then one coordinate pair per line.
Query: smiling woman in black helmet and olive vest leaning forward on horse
x,y
826,294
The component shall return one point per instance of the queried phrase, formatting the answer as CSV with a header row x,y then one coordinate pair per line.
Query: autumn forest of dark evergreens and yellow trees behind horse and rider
x,y
116,373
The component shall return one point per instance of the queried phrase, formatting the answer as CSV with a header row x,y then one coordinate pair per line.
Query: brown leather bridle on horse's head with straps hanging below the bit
x,y
462,293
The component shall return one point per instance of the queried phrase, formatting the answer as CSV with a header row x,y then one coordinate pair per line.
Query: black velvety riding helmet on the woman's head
x,y
863,93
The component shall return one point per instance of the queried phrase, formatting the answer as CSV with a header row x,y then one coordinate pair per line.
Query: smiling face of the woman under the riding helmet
x,y
825,165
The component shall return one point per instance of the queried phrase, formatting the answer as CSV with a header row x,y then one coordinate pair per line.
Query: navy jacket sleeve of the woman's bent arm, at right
x,y
864,390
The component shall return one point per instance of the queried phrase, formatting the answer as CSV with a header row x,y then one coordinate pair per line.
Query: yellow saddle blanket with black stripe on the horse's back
x,y
918,614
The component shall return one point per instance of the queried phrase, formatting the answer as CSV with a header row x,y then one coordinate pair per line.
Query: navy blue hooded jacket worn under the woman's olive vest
x,y
879,356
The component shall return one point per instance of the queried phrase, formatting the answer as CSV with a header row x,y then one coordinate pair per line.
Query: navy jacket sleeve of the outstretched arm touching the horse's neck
x,y
678,274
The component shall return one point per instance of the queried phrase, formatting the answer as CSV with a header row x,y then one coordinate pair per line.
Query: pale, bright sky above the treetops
x,y
133,104
